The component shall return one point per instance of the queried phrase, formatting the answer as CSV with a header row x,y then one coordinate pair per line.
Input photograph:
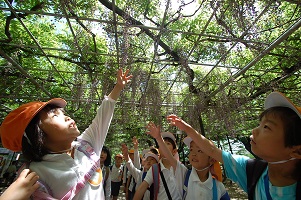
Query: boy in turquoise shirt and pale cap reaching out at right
x,y
277,140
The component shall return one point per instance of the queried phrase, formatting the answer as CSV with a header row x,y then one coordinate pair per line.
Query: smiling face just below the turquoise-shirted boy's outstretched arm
x,y
197,158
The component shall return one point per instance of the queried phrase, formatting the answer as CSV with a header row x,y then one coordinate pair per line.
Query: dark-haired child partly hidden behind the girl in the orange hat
x,y
105,162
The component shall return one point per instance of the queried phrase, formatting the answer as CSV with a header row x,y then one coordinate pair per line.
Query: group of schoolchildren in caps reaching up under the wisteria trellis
x,y
64,164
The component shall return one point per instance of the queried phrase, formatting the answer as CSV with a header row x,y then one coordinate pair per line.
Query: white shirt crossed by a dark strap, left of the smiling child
x,y
170,181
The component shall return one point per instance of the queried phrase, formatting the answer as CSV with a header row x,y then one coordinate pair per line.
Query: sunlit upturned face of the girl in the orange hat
x,y
60,129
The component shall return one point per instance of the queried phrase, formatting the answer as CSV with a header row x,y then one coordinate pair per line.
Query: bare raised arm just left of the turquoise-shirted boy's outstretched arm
x,y
155,132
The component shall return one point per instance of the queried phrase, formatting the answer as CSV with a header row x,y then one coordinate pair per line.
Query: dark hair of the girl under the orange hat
x,y
36,150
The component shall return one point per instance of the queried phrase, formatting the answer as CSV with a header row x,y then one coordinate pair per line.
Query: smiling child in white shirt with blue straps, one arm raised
x,y
200,182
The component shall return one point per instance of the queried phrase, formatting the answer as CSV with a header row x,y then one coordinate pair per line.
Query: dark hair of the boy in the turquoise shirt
x,y
291,127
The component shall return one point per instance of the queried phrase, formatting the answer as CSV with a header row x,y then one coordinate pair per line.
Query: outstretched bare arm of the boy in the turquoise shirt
x,y
204,144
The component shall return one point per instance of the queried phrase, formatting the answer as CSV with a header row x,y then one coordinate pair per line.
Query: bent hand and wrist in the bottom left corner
x,y
22,187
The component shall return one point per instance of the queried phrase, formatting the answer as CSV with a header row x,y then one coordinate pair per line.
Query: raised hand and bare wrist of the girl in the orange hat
x,y
122,80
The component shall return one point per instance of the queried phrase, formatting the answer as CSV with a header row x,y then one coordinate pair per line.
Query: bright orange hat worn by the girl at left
x,y
14,124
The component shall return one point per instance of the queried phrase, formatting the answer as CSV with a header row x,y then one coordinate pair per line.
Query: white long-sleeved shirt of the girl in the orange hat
x,y
60,172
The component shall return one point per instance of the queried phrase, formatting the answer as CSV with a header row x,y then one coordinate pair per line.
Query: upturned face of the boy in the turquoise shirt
x,y
267,140
